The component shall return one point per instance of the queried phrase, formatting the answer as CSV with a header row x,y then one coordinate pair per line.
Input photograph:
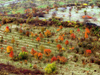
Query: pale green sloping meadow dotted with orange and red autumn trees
x,y
28,38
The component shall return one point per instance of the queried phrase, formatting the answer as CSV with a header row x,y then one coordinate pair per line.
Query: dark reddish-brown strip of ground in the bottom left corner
x,y
6,68
